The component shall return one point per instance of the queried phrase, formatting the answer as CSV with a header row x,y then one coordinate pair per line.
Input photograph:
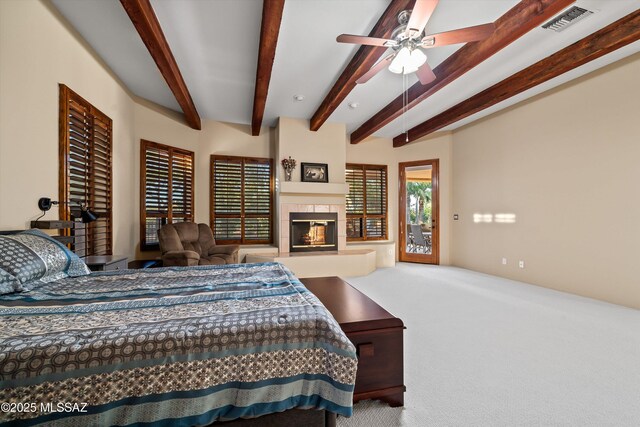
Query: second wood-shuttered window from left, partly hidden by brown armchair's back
x,y
166,189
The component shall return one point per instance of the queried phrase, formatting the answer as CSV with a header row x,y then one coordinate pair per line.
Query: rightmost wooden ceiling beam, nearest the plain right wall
x,y
612,37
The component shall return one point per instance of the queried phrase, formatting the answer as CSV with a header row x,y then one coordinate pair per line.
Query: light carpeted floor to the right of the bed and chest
x,y
486,351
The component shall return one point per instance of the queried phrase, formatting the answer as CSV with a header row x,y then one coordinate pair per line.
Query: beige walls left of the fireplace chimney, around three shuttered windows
x,y
38,50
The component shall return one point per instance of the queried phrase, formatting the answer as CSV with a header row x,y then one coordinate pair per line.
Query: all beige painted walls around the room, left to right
x,y
564,163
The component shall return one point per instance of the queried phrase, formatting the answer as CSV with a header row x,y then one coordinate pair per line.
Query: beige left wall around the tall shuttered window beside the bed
x,y
37,52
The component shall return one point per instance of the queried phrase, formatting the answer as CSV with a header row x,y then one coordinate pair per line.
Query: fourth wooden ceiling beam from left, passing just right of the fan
x,y
518,21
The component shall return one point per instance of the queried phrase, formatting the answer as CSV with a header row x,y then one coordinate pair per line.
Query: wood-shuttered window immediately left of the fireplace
x,y
241,199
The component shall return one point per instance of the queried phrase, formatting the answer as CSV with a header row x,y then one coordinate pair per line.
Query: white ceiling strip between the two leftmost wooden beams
x,y
215,44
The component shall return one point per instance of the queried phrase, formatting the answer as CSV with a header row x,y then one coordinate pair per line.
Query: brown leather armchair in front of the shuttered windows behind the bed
x,y
188,243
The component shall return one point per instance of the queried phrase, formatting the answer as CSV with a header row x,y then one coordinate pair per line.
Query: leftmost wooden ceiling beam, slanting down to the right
x,y
146,23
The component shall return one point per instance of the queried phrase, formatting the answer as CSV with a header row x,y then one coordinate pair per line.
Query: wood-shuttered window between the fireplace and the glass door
x,y
366,202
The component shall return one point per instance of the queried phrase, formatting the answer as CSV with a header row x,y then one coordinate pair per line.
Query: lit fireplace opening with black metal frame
x,y
313,231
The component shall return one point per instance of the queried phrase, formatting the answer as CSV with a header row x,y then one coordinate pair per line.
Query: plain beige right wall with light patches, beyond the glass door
x,y
567,165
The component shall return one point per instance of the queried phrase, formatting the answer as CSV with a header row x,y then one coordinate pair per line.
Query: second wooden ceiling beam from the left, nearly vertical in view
x,y
271,18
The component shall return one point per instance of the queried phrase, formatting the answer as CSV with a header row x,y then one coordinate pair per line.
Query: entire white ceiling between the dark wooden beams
x,y
215,44
